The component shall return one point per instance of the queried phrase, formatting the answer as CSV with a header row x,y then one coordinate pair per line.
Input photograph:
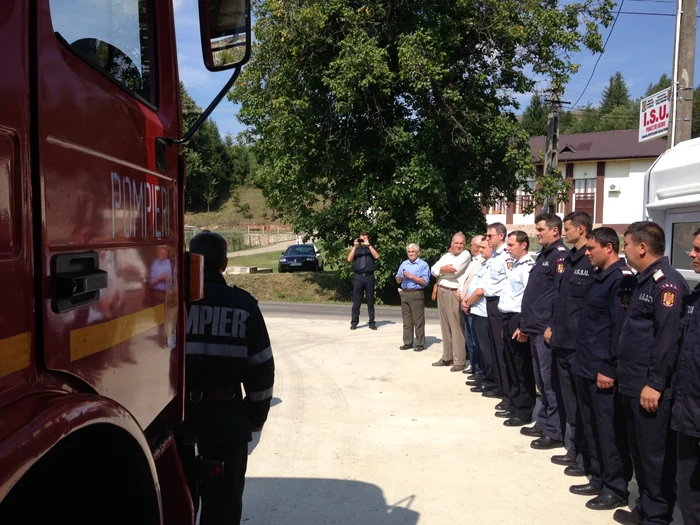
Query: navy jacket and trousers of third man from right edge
x,y
601,319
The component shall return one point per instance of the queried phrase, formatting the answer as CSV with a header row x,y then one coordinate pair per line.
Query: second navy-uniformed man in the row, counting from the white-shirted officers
x,y
575,281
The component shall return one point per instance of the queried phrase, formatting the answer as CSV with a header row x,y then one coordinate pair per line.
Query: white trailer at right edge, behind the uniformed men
x,y
672,200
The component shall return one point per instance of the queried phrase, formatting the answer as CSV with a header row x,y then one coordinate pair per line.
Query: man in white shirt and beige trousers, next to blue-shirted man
x,y
448,270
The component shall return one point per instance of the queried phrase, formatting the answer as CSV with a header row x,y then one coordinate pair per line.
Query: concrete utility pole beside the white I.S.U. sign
x,y
683,72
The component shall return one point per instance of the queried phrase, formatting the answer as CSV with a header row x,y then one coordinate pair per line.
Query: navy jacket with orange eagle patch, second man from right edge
x,y
648,344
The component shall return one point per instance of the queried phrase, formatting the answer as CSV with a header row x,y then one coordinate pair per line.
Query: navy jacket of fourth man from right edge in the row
x,y
575,281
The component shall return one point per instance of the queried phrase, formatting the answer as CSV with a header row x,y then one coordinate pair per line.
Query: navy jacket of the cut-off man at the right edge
x,y
686,404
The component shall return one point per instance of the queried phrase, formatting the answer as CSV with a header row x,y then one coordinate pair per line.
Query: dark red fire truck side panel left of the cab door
x,y
17,364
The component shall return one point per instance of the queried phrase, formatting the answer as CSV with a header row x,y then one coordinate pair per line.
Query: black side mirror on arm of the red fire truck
x,y
225,31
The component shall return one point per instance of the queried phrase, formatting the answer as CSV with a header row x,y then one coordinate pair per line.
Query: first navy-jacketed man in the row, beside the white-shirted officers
x,y
537,315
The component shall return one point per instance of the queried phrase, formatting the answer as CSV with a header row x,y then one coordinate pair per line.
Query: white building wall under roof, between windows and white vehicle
x,y
625,206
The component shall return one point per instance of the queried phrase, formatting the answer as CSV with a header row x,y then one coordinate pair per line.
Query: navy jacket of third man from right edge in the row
x,y
604,311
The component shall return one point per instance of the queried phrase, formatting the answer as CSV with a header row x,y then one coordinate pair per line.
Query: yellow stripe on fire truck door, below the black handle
x,y
92,339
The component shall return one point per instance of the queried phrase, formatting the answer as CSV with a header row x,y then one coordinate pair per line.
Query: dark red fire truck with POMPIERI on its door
x,y
93,268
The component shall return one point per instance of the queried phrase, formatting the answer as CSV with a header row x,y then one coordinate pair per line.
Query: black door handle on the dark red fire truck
x,y
77,280
